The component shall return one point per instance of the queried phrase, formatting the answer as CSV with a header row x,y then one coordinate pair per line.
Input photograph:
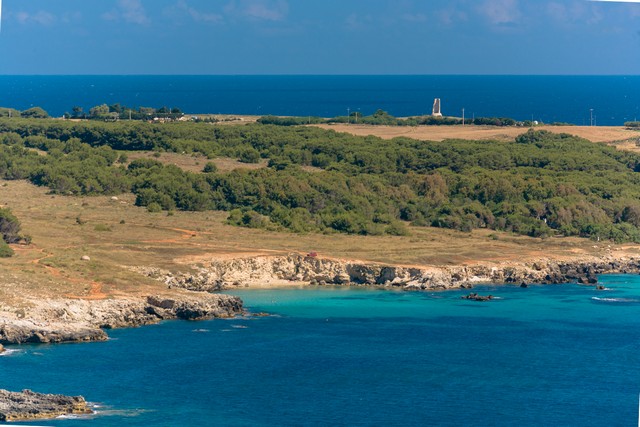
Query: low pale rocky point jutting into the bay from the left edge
x,y
71,320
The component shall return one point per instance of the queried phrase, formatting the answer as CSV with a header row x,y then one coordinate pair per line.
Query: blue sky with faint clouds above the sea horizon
x,y
319,37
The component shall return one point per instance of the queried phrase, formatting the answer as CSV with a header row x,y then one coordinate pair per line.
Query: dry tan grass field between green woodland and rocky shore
x,y
116,234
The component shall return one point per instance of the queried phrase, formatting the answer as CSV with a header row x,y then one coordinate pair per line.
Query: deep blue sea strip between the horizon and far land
x,y
614,99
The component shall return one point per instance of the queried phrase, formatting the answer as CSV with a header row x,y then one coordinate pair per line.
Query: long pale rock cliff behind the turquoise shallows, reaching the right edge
x,y
265,270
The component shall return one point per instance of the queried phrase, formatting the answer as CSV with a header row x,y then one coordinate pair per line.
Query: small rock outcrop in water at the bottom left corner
x,y
27,405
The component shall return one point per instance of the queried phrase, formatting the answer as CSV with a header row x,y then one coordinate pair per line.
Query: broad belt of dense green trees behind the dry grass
x,y
539,185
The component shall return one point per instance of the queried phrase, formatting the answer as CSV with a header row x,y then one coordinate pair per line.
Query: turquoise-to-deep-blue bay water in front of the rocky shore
x,y
545,355
